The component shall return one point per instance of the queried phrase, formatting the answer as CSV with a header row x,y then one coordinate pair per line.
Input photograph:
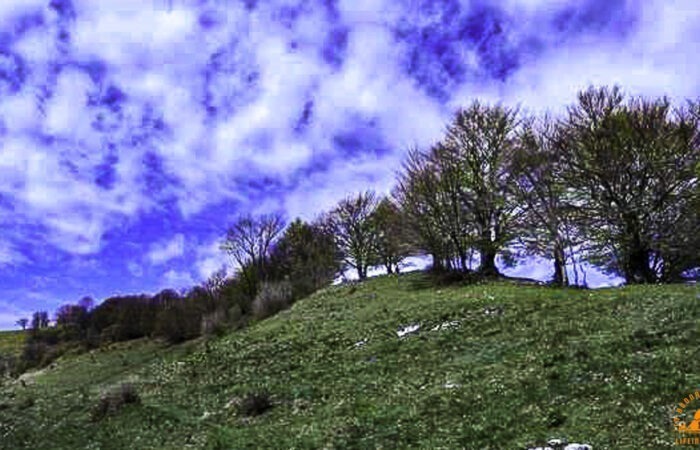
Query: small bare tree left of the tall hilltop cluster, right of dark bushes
x,y
355,234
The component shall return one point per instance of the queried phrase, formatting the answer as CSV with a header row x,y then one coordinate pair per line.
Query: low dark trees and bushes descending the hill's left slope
x,y
275,267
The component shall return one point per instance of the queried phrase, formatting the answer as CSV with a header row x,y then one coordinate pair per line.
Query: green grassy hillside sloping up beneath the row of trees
x,y
495,366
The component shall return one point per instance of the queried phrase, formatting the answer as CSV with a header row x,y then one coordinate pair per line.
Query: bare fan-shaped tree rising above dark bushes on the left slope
x,y
249,241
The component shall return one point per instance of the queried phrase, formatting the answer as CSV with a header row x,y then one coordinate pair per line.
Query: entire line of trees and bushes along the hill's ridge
x,y
613,183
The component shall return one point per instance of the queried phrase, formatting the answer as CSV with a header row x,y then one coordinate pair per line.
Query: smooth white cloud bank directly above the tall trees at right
x,y
654,59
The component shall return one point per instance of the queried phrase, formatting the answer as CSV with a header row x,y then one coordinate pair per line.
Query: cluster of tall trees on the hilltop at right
x,y
614,182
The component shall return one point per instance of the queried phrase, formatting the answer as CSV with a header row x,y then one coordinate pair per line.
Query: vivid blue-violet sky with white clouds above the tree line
x,y
133,131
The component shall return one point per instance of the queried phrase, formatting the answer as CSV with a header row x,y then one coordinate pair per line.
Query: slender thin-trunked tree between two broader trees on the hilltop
x,y
545,225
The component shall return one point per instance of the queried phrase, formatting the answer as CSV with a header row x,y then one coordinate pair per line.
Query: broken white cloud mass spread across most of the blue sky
x,y
159,57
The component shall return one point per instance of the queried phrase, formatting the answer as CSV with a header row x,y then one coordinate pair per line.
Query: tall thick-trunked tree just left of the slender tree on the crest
x,y
477,148
